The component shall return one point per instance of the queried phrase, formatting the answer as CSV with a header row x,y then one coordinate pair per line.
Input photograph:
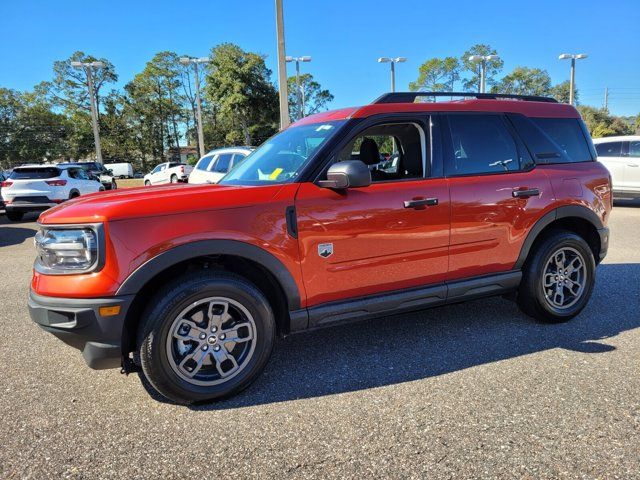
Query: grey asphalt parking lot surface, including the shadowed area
x,y
471,390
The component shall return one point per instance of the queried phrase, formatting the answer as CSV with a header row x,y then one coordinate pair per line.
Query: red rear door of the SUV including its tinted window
x,y
496,193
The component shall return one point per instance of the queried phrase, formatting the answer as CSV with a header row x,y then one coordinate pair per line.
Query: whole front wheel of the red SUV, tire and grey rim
x,y
166,358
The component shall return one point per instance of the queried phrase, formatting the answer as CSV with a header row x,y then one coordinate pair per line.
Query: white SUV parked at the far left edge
x,y
38,187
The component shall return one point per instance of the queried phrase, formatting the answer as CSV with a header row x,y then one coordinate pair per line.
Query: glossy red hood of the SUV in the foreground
x,y
156,201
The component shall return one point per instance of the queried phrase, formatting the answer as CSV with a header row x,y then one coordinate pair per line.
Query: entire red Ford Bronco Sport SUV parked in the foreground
x,y
359,212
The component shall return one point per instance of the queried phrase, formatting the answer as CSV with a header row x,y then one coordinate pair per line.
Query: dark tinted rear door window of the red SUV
x,y
481,144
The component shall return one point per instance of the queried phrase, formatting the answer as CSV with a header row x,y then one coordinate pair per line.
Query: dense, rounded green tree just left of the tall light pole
x,y
242,95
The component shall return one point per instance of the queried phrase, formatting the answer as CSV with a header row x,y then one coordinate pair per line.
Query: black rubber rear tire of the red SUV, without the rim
x,y
548,249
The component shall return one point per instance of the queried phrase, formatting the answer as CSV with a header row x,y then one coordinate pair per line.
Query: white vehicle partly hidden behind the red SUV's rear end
x,y
621,156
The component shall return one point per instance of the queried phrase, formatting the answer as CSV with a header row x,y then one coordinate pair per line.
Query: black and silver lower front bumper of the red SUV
x,y
77,322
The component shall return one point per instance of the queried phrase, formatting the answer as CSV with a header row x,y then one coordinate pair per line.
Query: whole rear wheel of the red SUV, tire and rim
x,y
539,295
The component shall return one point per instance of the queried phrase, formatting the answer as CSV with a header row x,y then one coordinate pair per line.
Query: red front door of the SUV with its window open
x,y
391,235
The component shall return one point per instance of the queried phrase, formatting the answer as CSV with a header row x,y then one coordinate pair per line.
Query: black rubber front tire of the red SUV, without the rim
x,y
160,318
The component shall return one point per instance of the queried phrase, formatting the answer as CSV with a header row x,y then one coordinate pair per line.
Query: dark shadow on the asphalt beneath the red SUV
x,y
434,342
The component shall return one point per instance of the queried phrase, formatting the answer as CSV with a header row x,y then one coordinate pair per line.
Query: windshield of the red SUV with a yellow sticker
x,y
281,158
